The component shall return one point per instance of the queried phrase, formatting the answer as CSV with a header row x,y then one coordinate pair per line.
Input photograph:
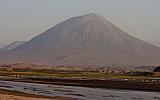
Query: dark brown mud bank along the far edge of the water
x,y
149,86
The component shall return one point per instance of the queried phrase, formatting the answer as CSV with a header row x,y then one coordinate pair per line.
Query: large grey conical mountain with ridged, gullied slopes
x,y
84,40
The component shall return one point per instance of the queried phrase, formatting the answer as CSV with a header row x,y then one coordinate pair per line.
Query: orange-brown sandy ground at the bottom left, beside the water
x,y
11,95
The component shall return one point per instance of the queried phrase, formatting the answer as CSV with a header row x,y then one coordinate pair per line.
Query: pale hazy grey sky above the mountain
x,y
24,19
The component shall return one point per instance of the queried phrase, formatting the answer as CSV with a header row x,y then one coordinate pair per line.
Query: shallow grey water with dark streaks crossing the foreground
x,y
78,93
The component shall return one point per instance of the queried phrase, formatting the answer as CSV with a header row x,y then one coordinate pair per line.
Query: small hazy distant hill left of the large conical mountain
x,y
12,46
